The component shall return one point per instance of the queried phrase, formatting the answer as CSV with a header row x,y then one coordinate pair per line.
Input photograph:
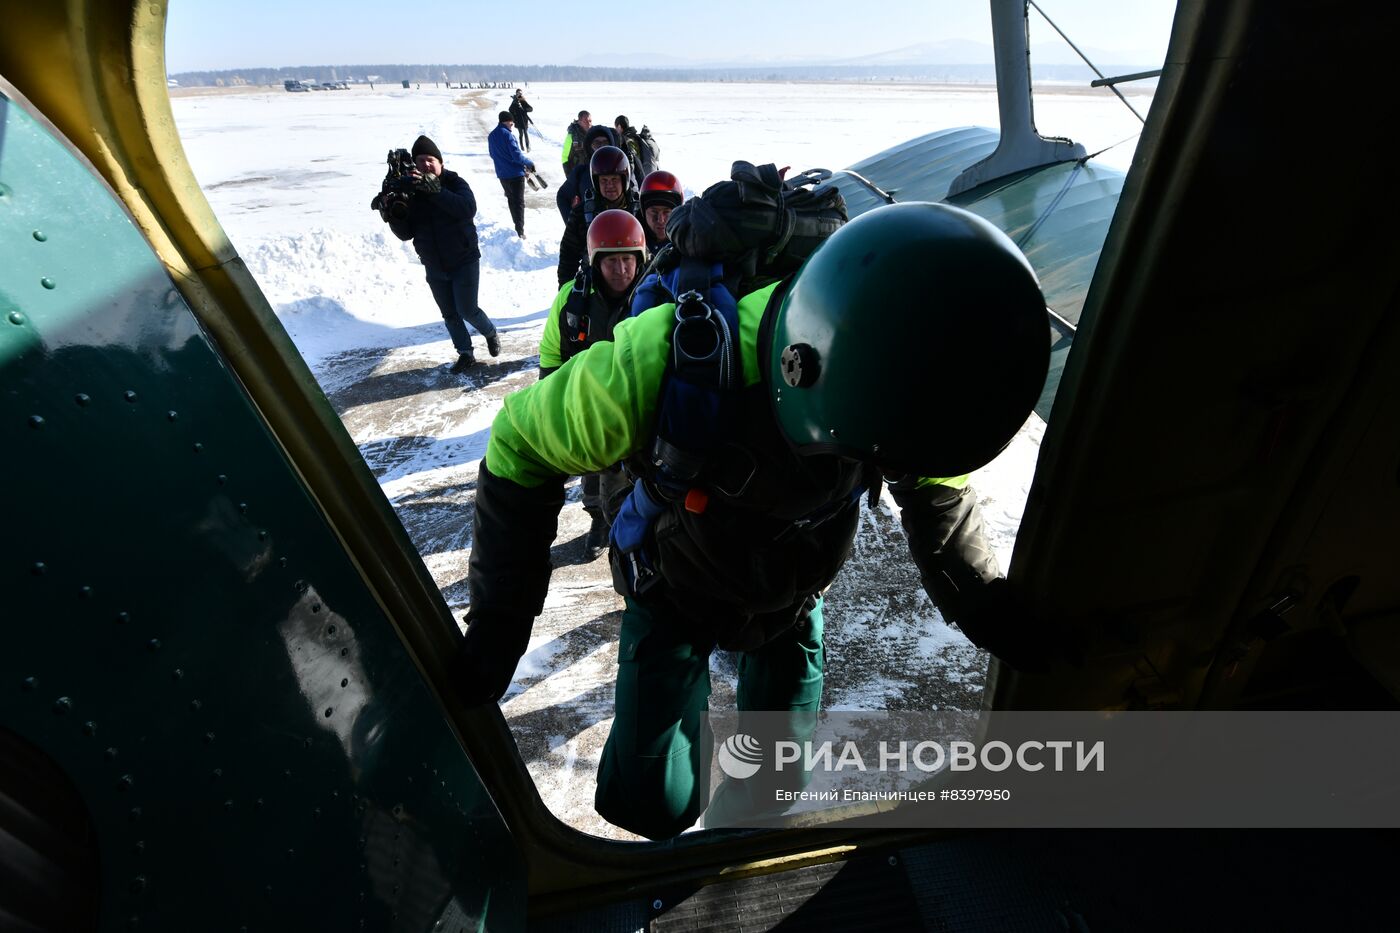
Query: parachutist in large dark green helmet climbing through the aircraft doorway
x,y
824,403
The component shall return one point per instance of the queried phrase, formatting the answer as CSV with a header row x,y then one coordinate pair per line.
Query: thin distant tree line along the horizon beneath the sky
x,y
517,75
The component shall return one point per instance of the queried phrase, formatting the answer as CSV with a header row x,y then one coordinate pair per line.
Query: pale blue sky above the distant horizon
x,y
232,34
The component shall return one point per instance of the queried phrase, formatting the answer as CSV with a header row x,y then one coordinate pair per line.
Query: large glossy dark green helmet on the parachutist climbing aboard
x,y
915,338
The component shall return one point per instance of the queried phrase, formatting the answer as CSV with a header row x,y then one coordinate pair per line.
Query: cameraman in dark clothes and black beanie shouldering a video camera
x,y
439,222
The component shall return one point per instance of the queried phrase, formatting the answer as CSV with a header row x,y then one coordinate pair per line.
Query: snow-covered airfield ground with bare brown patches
x,y
292,176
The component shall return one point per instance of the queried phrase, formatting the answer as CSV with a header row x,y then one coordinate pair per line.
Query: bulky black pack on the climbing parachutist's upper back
x,y
757,223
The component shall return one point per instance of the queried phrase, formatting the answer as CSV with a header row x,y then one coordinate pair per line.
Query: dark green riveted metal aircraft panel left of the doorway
x,y
183,634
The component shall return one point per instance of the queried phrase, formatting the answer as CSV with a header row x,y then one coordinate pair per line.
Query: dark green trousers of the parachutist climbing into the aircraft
x,y
654,775
